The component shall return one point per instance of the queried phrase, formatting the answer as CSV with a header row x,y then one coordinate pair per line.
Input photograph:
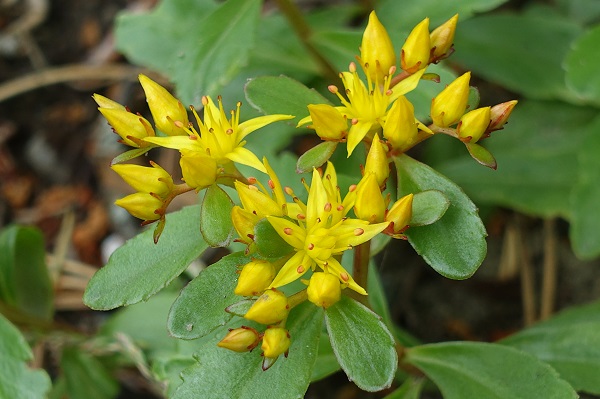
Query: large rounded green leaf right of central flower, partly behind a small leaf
x,y
454,245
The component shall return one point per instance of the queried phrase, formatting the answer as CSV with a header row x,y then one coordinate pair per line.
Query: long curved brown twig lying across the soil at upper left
x,y
67,73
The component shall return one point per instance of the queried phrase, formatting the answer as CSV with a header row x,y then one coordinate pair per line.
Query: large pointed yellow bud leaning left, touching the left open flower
x,y
165,108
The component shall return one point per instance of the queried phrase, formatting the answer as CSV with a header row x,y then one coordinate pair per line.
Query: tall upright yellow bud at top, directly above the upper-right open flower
x,y
377,53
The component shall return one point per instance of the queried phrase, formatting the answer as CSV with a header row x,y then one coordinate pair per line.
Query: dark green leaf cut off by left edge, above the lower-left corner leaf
x,y
24,279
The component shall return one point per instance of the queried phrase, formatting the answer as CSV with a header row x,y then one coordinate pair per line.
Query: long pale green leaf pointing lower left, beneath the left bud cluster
x,y
140,268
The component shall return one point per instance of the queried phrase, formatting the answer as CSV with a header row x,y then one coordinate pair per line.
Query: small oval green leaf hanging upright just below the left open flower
x,y
215,217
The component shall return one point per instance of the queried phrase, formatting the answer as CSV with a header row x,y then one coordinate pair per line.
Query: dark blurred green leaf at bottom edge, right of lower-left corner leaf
x,y
86,377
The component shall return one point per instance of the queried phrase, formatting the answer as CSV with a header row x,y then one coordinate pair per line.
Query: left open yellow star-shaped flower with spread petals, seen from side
x,y
219,137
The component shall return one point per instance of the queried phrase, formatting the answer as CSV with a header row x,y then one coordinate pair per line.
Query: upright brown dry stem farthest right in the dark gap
x,y
549,277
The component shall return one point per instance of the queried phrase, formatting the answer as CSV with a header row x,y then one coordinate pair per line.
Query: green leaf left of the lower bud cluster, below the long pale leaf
x,y
201,305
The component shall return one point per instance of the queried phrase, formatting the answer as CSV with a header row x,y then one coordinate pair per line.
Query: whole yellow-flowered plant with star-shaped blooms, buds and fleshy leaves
x,y
300,284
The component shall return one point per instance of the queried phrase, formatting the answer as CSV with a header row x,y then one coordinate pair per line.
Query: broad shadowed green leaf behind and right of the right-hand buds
x,y
536,156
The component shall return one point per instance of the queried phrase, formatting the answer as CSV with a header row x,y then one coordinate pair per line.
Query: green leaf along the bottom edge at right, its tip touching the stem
x,y
480,370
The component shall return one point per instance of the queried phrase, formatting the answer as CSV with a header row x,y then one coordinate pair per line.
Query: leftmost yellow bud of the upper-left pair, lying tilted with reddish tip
x,y
127,125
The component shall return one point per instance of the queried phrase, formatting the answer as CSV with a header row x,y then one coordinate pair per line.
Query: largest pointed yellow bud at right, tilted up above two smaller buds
x,y
448,106
